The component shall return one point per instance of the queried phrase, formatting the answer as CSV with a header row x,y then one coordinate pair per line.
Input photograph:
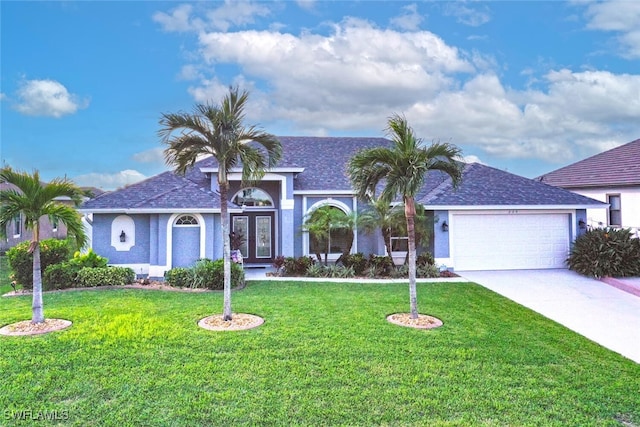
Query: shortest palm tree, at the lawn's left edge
x,y
32,200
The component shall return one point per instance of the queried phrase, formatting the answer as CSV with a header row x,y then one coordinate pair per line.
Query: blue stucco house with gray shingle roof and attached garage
x,y
494,220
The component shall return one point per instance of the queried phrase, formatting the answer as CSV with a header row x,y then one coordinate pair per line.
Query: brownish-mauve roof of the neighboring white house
x,y
617,167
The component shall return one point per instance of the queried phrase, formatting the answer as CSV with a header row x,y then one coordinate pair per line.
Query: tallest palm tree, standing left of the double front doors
x,y
218,130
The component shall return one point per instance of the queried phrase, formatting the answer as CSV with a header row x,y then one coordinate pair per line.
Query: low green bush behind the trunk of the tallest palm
x,y
205,274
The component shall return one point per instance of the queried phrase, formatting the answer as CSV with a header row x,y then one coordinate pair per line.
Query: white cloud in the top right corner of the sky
x,y
621,16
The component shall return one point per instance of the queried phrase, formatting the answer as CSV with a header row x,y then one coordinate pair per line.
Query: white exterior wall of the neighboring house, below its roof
x,y
629,205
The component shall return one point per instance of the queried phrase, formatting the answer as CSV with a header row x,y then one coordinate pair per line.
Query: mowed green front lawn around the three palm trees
x,y
325,356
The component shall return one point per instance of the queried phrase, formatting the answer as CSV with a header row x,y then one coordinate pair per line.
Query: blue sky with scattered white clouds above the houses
x,y
522,86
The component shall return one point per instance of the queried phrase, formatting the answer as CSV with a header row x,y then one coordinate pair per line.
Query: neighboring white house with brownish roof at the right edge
x,y
612,177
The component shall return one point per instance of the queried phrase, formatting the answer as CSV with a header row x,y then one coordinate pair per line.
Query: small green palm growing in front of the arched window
x,y
326,222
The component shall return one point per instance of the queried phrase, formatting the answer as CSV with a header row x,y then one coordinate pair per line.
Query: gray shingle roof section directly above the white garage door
x,y
486,186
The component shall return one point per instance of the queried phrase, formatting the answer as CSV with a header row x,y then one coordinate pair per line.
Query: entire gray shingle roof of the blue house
x,y
324,160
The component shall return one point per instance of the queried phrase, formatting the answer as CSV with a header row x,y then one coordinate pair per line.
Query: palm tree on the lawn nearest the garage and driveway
x,y
402,170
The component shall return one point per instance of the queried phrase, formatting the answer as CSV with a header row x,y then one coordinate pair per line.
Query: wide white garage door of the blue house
x,y
509,241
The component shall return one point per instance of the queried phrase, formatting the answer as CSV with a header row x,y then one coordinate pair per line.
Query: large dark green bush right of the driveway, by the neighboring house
x,y
606,252
